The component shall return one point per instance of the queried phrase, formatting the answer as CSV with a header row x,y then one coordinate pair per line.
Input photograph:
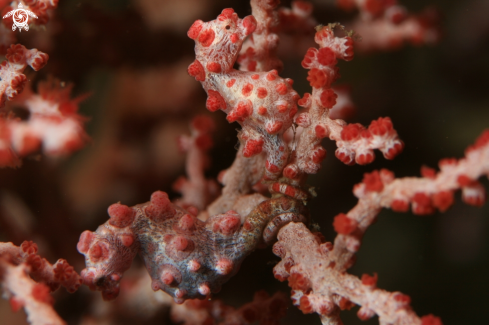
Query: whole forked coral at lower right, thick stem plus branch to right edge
x,y
317,275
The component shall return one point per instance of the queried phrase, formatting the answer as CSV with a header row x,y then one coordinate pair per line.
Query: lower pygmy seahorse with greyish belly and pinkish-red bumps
x,y
185,257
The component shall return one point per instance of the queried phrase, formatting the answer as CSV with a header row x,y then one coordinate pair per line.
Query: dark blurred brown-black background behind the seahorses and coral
x,y
437,97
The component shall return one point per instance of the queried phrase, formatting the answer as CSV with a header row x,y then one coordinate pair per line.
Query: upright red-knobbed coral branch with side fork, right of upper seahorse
x,y
355,143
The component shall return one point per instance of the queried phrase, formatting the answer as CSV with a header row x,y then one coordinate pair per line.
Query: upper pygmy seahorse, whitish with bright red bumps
x,y
262,102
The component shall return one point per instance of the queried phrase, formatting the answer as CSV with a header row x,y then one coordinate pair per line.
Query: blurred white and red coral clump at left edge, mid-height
x,y
53,124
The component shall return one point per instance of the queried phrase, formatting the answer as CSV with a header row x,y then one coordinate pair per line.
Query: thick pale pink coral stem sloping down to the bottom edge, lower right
x,y
319,286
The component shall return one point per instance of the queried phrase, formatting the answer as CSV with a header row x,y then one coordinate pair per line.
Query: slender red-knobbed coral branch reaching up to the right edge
x,y
381,190
